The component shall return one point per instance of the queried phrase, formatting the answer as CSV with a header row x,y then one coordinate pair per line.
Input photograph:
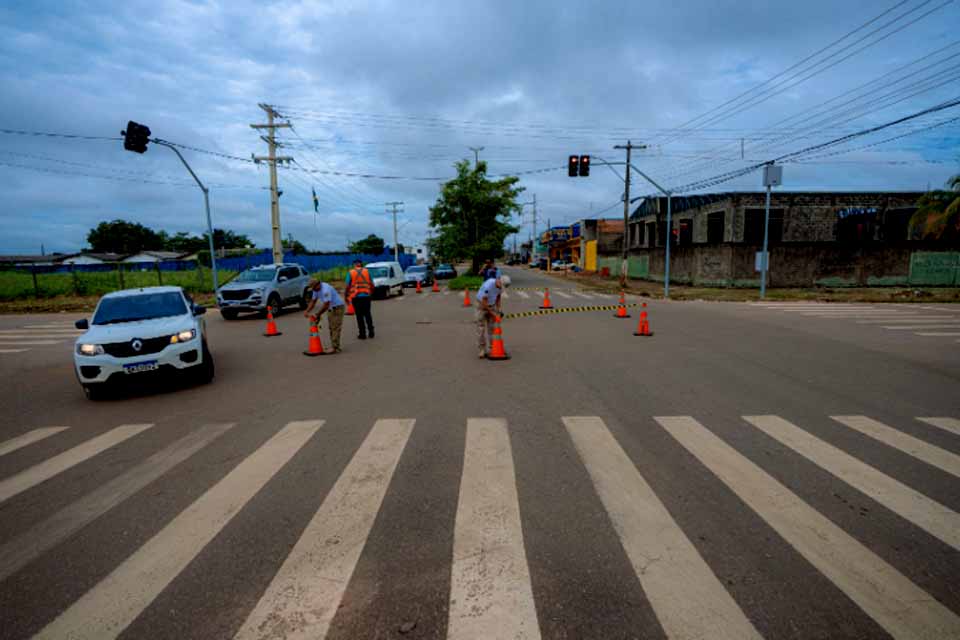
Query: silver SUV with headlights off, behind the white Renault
x,y
273,285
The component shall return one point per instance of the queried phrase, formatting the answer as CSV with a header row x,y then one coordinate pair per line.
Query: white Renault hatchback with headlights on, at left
x,y
142,332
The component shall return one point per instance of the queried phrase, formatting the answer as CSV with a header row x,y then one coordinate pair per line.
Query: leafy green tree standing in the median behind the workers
x,y
471,215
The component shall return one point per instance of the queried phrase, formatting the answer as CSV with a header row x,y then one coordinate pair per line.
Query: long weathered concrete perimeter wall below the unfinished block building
x,y
798,265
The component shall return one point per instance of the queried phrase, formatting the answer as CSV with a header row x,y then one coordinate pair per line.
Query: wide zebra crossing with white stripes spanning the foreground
x,y
493,592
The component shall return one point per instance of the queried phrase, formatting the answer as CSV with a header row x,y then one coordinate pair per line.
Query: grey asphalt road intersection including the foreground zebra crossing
x,y
748,471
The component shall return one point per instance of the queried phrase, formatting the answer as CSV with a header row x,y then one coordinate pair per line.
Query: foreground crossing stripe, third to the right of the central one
x,y
931,516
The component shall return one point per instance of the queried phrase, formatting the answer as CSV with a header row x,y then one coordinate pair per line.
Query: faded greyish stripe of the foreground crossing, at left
x,y
43,536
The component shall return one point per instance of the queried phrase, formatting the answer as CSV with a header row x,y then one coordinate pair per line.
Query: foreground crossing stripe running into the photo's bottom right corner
x,y
896,604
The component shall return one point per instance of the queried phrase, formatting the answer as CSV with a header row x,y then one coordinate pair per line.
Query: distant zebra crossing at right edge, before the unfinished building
x,y
928,322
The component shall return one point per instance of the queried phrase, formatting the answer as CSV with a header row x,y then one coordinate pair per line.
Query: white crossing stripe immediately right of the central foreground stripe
x,y
689,600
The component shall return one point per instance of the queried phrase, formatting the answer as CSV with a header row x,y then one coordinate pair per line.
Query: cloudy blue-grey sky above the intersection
x,y
403,89
